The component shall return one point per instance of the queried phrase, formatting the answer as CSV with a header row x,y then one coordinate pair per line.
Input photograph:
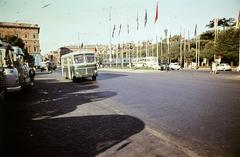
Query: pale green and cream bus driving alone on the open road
x,y
78,65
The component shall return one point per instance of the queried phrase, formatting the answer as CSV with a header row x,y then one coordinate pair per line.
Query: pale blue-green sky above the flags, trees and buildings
x,y
71,22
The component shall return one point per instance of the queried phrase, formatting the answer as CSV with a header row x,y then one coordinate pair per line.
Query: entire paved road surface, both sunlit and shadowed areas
x,y
192,111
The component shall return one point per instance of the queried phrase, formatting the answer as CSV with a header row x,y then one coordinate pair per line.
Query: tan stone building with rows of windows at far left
x,y
29,33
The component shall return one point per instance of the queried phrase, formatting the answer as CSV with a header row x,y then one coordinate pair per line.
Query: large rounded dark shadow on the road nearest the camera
x,y
84,136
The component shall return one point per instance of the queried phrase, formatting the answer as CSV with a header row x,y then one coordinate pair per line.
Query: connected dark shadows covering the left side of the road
x,y
30,127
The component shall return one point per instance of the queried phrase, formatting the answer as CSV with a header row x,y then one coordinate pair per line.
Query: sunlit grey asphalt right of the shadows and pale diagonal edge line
x,y
195,110
